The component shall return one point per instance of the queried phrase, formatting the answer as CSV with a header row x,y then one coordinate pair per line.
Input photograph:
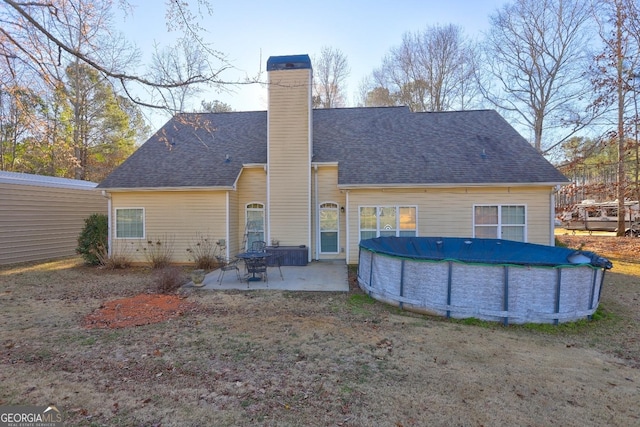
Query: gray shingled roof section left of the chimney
x,y
191,151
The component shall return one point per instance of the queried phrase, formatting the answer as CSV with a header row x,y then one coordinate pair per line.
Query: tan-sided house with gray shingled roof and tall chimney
x,y
324,179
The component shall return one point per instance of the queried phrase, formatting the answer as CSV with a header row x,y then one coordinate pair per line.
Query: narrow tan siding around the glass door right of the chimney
x,y
327,191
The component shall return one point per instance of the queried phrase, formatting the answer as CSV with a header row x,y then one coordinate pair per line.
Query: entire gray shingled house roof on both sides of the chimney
x,y
373,147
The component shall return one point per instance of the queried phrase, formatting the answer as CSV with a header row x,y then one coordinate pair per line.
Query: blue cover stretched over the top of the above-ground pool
x,y
486,251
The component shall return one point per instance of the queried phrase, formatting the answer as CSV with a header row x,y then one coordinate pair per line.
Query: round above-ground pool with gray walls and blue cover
x,y
488,279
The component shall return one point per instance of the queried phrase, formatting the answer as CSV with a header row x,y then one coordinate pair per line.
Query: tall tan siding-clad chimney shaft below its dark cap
x,y
289,157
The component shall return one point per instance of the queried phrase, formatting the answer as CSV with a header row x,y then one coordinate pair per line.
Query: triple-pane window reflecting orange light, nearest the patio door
x,y
381,221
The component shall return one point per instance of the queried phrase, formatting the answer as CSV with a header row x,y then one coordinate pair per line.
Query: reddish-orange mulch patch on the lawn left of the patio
x,y
142,309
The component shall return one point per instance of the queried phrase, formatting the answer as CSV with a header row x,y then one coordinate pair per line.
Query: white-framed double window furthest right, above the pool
x,y
500,222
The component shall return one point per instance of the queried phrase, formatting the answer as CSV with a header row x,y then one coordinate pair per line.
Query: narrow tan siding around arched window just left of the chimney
x,y
252,188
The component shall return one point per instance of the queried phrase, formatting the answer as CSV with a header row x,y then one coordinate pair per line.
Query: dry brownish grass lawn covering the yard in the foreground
x,y
270,358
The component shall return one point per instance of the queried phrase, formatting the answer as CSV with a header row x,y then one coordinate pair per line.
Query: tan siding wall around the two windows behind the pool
x,y
448,212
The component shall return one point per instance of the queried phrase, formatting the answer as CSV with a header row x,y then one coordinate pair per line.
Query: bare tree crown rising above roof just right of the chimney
x,y
431,70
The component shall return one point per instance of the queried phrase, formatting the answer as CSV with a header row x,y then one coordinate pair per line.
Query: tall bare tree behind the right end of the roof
x,y
535,54
